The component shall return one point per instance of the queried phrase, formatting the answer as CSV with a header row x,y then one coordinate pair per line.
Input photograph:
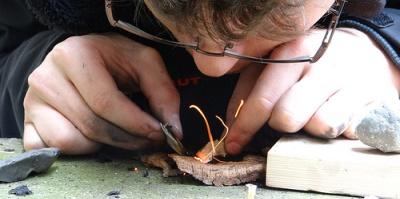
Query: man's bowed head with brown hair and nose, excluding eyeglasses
x,y
255,27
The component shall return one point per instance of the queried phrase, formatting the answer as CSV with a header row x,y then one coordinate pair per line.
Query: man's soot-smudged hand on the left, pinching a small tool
x,y
74,103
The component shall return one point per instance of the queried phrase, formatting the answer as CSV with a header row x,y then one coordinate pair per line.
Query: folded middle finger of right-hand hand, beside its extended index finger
x,y
296,107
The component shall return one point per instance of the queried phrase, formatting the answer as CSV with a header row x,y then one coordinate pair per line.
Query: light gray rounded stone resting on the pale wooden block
x,y
379,127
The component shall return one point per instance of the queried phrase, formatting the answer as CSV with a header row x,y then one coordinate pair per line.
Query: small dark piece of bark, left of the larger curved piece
x,y
162,161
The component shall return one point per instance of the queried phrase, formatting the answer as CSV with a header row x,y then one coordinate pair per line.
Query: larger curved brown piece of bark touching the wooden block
x,y
250,169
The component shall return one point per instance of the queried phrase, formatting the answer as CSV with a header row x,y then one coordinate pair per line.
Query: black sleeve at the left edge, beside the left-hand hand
x,y
15,67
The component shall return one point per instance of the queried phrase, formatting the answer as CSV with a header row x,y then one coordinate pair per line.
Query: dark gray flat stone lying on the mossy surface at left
x,y
19,167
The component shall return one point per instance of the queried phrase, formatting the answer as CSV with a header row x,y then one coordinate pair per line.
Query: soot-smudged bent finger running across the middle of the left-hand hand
x,y
60,94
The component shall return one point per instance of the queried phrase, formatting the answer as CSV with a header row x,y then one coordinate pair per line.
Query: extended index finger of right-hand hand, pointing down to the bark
x,y
257,109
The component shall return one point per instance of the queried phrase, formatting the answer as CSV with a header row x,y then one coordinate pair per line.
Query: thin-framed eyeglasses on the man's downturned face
x,y
336,11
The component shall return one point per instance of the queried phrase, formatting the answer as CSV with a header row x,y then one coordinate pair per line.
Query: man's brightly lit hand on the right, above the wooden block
x,y
319,97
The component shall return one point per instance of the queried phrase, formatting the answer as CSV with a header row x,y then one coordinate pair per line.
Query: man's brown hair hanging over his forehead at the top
x,y
234,19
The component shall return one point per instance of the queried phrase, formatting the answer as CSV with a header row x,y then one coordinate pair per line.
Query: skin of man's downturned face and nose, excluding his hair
x,y
252,44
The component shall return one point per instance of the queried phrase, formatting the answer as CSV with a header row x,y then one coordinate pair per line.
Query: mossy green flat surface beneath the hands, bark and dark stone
x,y
85,177
